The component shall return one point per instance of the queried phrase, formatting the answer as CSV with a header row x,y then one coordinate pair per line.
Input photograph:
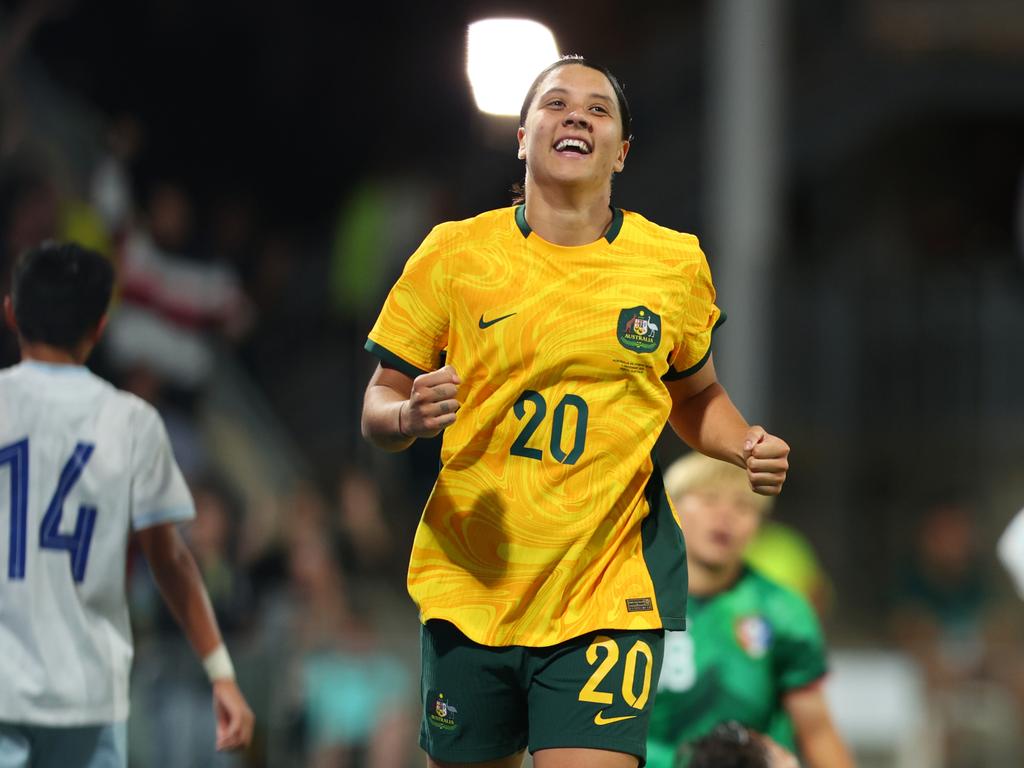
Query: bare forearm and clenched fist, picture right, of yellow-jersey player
x,y
705,417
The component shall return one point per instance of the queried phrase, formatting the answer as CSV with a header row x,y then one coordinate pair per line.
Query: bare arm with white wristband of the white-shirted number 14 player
x,y
182,586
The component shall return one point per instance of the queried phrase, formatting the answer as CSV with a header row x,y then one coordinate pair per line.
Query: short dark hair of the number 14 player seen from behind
x,y
61,291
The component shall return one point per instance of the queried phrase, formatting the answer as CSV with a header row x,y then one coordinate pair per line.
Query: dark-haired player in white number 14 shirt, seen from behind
x,y
82,466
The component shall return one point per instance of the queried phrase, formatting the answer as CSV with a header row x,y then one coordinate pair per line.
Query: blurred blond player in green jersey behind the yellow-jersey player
x,y
753,652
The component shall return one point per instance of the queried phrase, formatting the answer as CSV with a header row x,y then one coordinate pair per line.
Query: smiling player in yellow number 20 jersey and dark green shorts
x,y
547,563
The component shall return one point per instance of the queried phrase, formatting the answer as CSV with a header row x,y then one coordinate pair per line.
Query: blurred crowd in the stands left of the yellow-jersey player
x,y
231,329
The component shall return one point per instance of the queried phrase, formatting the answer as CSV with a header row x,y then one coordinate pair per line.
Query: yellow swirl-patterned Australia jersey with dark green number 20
x,y
548,519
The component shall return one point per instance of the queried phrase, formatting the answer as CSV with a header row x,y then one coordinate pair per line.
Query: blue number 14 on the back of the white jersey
x,y
77,544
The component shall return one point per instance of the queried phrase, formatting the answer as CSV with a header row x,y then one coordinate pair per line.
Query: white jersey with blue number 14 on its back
x,y
82,464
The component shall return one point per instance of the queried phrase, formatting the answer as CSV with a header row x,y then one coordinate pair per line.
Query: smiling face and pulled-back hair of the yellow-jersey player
x,y
573,133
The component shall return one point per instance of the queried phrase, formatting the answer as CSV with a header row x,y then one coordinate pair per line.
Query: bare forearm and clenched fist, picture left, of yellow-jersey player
x,y
398,409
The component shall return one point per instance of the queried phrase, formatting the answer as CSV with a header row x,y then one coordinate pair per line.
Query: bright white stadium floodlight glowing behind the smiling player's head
x,y
503,57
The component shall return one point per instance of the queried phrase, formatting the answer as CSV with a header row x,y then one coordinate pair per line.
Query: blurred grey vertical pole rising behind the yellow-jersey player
x,y
744,191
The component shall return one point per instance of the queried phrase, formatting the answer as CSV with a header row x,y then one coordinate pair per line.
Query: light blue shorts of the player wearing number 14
x,y
80,747
